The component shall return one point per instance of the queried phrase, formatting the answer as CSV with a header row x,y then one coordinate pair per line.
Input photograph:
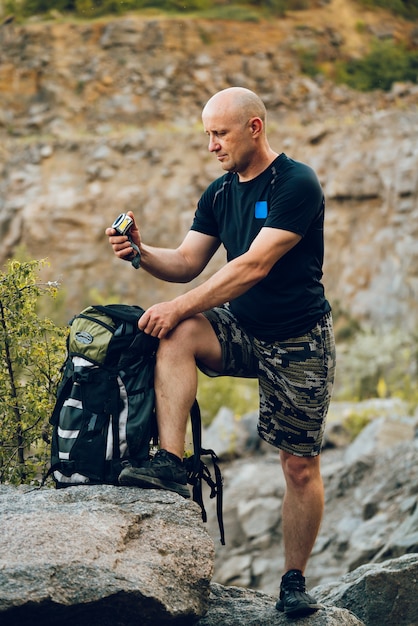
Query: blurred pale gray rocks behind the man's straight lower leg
x,y
371,492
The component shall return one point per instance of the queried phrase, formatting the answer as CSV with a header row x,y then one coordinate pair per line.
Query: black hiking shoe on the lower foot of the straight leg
x,y
293,599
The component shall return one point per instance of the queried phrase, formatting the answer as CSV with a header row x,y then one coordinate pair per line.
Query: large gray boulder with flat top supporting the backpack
x,y
102,556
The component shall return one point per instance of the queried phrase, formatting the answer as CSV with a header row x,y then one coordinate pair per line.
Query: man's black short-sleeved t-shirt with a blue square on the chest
x,y
287,195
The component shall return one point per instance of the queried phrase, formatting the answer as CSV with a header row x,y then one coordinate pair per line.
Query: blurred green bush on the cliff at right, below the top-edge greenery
x,y
385,64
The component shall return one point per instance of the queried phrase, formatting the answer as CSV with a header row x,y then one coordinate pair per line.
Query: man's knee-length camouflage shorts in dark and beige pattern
x,y
295,379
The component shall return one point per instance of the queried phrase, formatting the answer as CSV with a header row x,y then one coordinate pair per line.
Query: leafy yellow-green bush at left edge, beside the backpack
x,y
32,350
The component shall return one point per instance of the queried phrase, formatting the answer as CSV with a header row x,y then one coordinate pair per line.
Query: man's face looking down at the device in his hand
x,y
230,139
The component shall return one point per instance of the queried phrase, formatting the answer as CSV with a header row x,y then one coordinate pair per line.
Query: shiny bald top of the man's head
x,y
237,102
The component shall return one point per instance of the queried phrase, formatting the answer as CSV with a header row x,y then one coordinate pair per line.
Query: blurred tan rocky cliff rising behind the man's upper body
x,y
102,117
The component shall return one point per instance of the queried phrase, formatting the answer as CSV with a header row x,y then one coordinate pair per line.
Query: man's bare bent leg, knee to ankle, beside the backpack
x,y
176,377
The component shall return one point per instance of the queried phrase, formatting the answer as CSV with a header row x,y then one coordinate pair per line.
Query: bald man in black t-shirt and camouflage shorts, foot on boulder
x,y
264,314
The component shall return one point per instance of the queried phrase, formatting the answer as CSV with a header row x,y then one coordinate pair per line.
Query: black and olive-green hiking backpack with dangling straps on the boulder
x,y
104,415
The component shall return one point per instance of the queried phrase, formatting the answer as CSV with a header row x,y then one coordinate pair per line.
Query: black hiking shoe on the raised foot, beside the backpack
x,y
164,471
